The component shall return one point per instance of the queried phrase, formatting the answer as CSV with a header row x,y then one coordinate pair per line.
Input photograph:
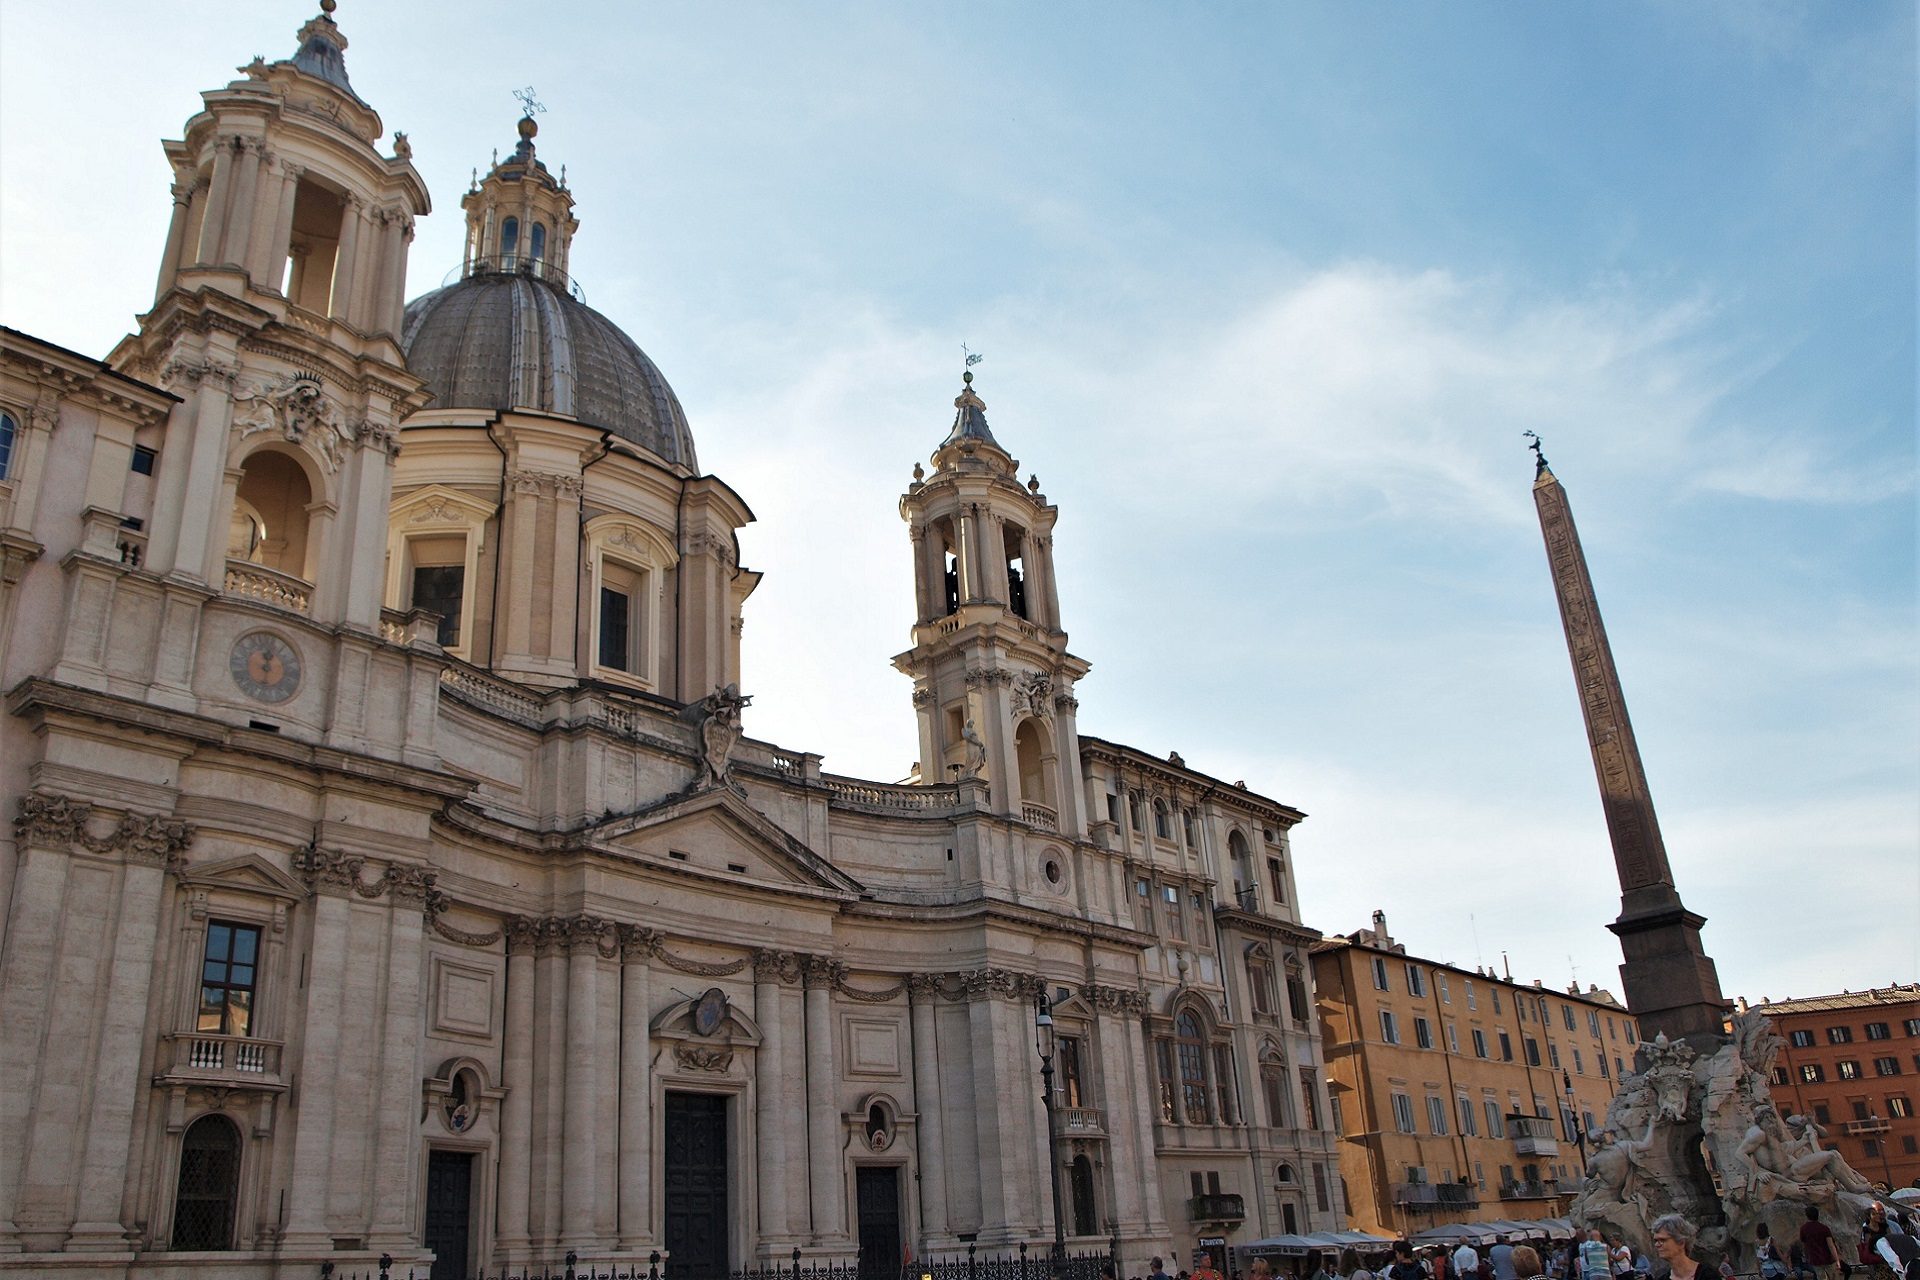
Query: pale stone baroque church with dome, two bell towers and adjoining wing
x,y
387,870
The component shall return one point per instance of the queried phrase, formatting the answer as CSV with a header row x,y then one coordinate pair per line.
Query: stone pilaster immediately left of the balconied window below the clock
x,y
151,845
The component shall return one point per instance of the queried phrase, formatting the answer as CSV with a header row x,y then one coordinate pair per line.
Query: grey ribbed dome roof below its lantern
x,y
502,341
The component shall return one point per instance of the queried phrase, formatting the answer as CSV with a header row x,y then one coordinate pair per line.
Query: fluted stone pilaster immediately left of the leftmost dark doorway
x,y
398,1135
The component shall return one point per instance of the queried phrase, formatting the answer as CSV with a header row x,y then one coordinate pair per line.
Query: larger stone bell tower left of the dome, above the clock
x,y
277,323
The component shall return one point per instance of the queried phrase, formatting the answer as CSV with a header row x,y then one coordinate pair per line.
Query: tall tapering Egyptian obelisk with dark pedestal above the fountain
x,y
1669,980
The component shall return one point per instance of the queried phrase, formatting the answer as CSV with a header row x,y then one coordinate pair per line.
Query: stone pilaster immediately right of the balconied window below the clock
x,y
333,878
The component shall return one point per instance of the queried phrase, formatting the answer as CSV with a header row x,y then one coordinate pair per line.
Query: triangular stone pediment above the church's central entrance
x,y
717,832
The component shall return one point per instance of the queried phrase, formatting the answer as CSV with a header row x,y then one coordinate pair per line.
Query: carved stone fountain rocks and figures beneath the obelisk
x,y
1685,1110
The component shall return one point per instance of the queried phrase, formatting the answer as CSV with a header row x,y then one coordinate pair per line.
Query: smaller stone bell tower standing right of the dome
x,y
994,680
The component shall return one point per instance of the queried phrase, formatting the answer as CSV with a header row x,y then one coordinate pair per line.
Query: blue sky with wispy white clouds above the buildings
x,y
1268,295
